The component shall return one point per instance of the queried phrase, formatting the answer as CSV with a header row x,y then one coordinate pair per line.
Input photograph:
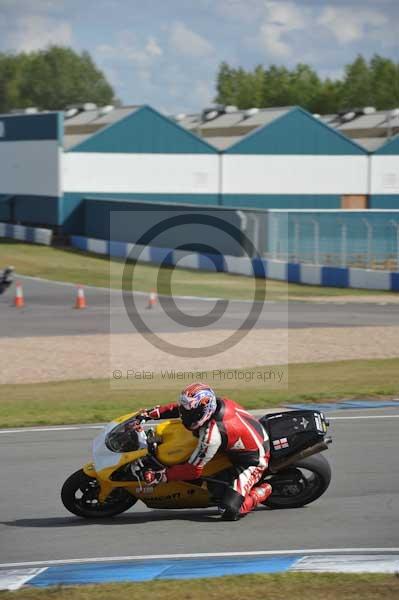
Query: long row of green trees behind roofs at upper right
x,y
364,83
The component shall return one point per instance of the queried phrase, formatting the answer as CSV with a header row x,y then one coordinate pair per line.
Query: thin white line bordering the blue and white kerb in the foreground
x,y
71,561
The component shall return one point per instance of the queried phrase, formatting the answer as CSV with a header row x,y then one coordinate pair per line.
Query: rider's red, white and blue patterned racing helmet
x,y
197,405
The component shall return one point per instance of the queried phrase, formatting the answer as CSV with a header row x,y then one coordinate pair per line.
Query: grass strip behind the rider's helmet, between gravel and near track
x,y
91,400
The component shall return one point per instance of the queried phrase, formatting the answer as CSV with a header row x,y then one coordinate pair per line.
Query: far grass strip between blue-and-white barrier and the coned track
x,y
90,269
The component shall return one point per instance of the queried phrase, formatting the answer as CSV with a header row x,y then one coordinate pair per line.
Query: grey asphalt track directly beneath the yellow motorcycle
x,y
360,509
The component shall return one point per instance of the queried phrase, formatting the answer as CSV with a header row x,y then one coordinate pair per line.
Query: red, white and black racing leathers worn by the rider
x,y
231,429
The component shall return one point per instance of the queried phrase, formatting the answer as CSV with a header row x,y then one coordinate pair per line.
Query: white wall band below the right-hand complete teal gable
x,y
289,174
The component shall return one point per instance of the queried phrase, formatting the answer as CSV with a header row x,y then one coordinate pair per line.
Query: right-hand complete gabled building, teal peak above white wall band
x,y
294,161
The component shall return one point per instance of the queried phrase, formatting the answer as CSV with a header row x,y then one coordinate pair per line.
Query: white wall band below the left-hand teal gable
x,y
140,173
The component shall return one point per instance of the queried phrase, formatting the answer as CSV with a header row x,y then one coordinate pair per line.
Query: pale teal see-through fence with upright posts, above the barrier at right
x,y
350,238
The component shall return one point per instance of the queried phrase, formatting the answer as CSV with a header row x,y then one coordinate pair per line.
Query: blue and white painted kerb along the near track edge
x,y
146,568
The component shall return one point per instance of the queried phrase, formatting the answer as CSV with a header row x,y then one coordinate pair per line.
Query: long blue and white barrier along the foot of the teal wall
x,y
342,277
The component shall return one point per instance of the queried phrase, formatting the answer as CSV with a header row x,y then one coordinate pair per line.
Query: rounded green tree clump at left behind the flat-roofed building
x,y
51,79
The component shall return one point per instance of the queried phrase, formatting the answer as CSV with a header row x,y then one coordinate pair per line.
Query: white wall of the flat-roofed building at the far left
x,y
29,168
